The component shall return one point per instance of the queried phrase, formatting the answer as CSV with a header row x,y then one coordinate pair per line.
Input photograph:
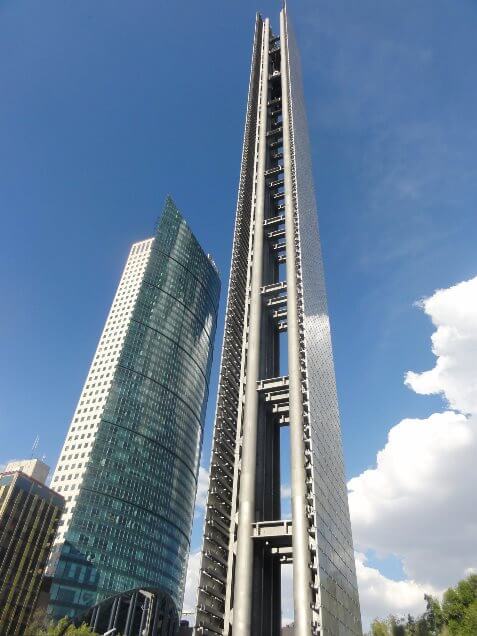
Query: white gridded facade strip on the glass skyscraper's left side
x,y
87,416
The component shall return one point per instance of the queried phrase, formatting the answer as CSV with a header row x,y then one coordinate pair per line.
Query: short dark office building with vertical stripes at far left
x,y
29,516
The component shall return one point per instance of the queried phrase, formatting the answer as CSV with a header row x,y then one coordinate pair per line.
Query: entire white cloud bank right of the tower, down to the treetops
x,y
417,503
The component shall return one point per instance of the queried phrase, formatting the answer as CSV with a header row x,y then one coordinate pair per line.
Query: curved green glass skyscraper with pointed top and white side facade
x,y
129,466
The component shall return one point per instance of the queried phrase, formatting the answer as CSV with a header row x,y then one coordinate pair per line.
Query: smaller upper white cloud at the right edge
x,y
454,312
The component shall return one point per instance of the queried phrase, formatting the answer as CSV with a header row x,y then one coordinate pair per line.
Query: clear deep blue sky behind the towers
x,y
107,106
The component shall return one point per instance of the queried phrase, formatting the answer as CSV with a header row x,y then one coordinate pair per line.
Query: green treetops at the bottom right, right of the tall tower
x,y
455,616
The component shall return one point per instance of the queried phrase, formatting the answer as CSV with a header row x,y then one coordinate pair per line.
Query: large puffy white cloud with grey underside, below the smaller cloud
x,y
416,502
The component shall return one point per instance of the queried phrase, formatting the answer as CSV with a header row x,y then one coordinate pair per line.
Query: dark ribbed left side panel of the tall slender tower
x,y
216,560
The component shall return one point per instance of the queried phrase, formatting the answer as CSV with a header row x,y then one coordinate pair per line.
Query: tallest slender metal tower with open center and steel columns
x,y
269,381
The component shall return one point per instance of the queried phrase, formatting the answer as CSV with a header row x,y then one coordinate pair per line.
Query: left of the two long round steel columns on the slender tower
x,y
244,563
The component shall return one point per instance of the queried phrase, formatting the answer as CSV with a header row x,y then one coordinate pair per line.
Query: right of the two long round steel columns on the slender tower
x,y
301,552
